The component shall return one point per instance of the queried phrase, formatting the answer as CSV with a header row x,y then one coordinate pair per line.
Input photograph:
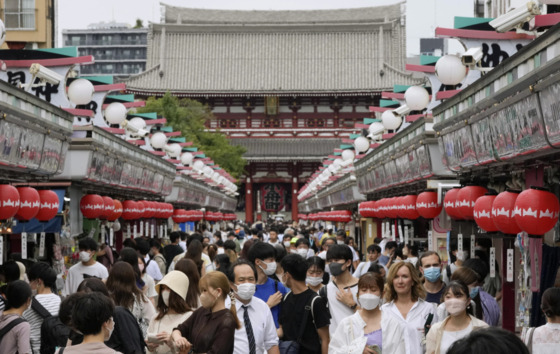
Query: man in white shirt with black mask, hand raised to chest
x,y
341,292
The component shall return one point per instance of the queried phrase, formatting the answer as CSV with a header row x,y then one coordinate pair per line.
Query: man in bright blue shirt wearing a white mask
x,y
263,257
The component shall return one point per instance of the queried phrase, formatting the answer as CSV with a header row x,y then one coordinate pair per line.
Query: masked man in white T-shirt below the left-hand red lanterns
x,y
88,267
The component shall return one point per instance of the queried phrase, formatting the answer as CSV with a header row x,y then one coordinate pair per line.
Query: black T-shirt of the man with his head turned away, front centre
x,y
291,317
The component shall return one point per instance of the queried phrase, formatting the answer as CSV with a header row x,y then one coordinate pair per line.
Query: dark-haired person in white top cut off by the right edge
x,y
546,339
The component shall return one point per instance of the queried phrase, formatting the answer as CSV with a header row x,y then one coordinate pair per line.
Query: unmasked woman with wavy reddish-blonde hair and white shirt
x,y
404,294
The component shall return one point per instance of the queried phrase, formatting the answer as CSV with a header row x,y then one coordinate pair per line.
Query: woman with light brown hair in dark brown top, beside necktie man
x,y
211,328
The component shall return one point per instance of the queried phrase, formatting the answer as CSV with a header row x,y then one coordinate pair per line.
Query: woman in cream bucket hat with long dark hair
x,y
172,311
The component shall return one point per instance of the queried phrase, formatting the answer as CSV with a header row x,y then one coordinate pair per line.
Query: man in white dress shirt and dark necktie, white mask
x,y
257,324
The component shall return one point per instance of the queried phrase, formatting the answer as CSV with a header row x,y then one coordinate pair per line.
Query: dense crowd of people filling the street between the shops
x,y
270,289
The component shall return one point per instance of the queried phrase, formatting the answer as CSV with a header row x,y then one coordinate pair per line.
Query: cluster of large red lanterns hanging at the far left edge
x,y
26,203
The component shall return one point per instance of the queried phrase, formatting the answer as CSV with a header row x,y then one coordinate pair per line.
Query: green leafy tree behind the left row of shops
x,y
189,117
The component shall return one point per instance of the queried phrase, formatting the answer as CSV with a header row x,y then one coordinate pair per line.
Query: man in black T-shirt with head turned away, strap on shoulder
x,y
304,317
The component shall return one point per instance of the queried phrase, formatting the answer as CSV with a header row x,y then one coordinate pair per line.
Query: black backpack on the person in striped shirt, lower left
x,y
54,333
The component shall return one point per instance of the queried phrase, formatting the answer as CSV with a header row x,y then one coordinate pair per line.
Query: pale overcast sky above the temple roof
x,y
74,14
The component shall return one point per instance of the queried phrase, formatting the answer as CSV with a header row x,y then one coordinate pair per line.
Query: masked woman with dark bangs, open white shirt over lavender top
x,y
369,330
